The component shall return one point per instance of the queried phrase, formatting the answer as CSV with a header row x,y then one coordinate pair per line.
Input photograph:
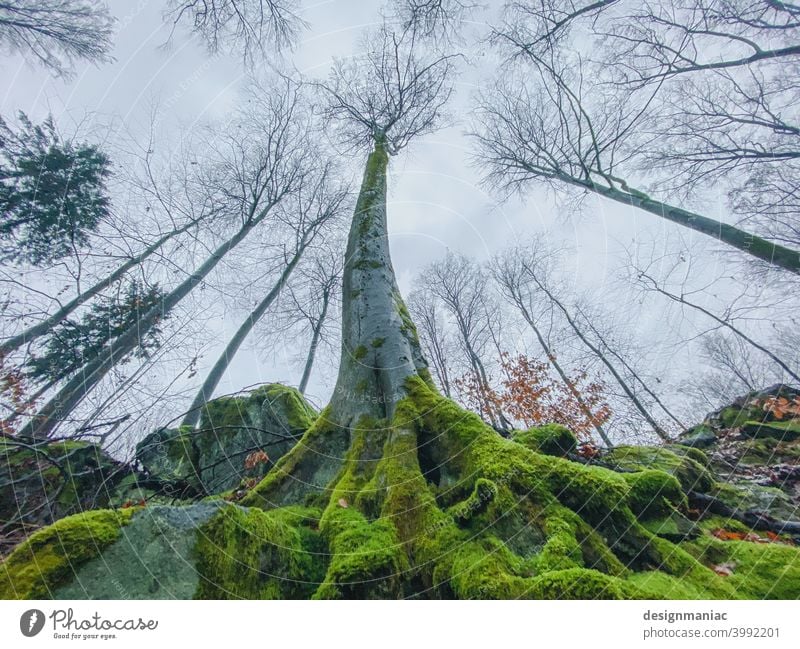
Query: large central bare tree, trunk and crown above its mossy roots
x,y
379,102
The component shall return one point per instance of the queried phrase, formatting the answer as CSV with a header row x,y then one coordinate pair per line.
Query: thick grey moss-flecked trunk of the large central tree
x,y
380,349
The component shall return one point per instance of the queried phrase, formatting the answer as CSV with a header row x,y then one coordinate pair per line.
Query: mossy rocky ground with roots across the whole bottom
x,y
197,513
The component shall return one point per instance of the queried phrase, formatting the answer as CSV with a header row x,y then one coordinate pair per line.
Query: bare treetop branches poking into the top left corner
x,y
57,33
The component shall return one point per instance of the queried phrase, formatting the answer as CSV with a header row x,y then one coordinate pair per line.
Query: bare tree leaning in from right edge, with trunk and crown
x,y
546,133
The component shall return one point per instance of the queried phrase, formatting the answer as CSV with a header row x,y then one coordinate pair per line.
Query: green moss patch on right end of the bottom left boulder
x,y
251,554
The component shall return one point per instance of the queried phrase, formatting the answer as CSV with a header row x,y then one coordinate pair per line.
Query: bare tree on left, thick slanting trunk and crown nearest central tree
x,y
264,157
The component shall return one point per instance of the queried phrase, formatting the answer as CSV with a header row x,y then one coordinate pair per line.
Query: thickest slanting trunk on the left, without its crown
x,y
74,391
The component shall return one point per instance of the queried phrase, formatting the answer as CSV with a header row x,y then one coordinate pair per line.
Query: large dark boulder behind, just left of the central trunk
x,y
238,439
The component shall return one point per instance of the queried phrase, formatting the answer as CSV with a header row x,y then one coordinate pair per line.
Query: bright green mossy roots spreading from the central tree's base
x,y
434,504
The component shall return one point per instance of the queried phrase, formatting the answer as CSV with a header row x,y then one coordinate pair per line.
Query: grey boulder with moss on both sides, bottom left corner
x,y
211,549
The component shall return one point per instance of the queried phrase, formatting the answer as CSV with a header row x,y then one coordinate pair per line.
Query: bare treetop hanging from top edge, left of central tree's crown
x,y
253,26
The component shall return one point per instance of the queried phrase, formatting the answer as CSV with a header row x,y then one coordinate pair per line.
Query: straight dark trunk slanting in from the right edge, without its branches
x,y
749,243
